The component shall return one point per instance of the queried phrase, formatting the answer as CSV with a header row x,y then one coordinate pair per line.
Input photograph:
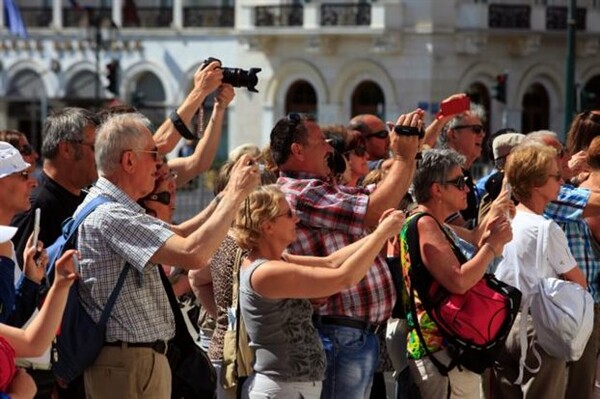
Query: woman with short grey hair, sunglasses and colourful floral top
x,y
440,190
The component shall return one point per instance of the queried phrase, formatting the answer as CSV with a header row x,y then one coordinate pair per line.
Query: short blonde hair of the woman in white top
x,y
527,167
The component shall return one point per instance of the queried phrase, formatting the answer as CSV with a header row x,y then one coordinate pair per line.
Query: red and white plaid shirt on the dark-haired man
x,y
332,217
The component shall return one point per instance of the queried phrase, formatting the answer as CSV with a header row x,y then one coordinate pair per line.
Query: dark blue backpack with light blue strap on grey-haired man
x,y
79,339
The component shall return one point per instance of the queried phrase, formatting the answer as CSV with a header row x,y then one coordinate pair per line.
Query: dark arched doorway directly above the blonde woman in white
x,y
536,109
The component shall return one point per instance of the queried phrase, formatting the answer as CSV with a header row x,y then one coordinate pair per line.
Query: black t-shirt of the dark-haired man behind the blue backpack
x,y
56,204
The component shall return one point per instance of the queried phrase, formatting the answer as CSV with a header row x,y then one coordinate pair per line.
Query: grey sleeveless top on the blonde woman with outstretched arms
x,y
286,344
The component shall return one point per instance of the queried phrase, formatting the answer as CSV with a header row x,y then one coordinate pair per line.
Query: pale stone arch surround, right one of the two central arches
x,y
354,73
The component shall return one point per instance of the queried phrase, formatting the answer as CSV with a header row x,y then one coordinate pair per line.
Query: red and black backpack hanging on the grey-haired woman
x,y
475,325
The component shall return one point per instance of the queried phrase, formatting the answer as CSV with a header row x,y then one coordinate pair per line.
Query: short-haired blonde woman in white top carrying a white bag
x,y
534,174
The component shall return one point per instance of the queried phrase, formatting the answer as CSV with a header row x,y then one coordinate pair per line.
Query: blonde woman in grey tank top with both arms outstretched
x,y
275,288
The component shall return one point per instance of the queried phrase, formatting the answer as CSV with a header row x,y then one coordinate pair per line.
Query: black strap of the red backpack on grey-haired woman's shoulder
x,y
414,250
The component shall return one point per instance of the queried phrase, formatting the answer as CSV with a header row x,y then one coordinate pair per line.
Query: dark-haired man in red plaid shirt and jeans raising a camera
x,y
332,217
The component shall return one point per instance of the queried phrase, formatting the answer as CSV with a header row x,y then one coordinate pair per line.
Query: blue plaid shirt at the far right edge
x,y
567,211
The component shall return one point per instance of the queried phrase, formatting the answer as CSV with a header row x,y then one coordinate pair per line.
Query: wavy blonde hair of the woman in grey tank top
x,y
261,206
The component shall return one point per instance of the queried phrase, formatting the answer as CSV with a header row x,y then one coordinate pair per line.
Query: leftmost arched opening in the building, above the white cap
x,y
27,105
